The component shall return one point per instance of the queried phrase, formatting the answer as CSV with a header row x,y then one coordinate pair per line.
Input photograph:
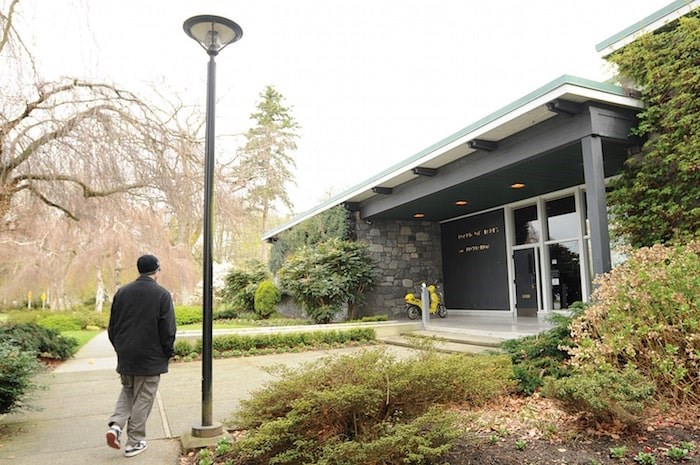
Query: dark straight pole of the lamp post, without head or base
x,y
207,298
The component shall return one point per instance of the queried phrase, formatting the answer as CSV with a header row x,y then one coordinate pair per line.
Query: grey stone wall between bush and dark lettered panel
x,y
407,253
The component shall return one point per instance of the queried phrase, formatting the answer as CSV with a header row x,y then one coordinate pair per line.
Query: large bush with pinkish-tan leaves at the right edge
x,y
646,313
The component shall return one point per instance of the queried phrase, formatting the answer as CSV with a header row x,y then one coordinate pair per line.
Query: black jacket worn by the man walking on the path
x,y
142,327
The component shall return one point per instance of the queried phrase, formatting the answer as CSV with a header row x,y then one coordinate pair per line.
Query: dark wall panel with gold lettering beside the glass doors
x,y
475,267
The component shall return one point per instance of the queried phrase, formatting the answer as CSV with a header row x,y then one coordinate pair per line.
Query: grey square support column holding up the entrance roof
x,y
594,173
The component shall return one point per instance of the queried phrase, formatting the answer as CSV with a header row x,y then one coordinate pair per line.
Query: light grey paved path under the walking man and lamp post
x,y
70,424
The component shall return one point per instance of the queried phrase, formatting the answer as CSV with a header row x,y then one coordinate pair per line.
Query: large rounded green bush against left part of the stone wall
x,y
324,277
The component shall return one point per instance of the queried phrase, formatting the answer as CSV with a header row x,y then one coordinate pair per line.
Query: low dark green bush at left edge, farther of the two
x,y
38,341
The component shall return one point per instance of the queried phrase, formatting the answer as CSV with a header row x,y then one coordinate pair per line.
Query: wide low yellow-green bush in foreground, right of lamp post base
x,y
367,407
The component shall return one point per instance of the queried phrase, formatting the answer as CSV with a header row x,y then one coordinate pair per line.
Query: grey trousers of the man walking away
x,y
134,405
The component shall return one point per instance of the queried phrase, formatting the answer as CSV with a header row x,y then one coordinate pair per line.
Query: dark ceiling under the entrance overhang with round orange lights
x,y
549,172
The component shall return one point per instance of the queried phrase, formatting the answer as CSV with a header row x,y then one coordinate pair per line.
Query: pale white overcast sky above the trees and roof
x,y
371,82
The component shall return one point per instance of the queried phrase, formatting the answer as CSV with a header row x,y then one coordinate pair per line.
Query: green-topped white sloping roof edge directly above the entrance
x,y
534,95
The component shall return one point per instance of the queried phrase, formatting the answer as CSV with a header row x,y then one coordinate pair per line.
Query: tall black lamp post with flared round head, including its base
x,y
213,33
